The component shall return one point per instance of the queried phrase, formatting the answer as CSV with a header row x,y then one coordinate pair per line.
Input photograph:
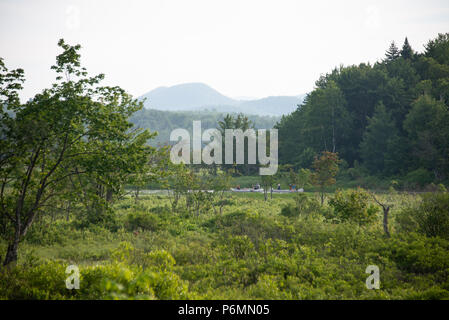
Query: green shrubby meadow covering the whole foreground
x,y
253,250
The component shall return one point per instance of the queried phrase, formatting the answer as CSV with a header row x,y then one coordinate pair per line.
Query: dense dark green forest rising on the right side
x,y
390,119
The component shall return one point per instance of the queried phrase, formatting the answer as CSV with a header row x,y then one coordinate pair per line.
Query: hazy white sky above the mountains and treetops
x,y
239,47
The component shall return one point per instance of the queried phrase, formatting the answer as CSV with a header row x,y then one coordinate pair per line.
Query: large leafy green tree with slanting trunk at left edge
x,y
75,128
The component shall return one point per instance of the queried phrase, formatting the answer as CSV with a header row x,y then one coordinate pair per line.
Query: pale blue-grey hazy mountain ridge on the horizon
x,y
199,96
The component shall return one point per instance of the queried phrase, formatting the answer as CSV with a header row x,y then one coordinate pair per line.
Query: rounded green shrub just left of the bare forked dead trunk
x,y
353,205
